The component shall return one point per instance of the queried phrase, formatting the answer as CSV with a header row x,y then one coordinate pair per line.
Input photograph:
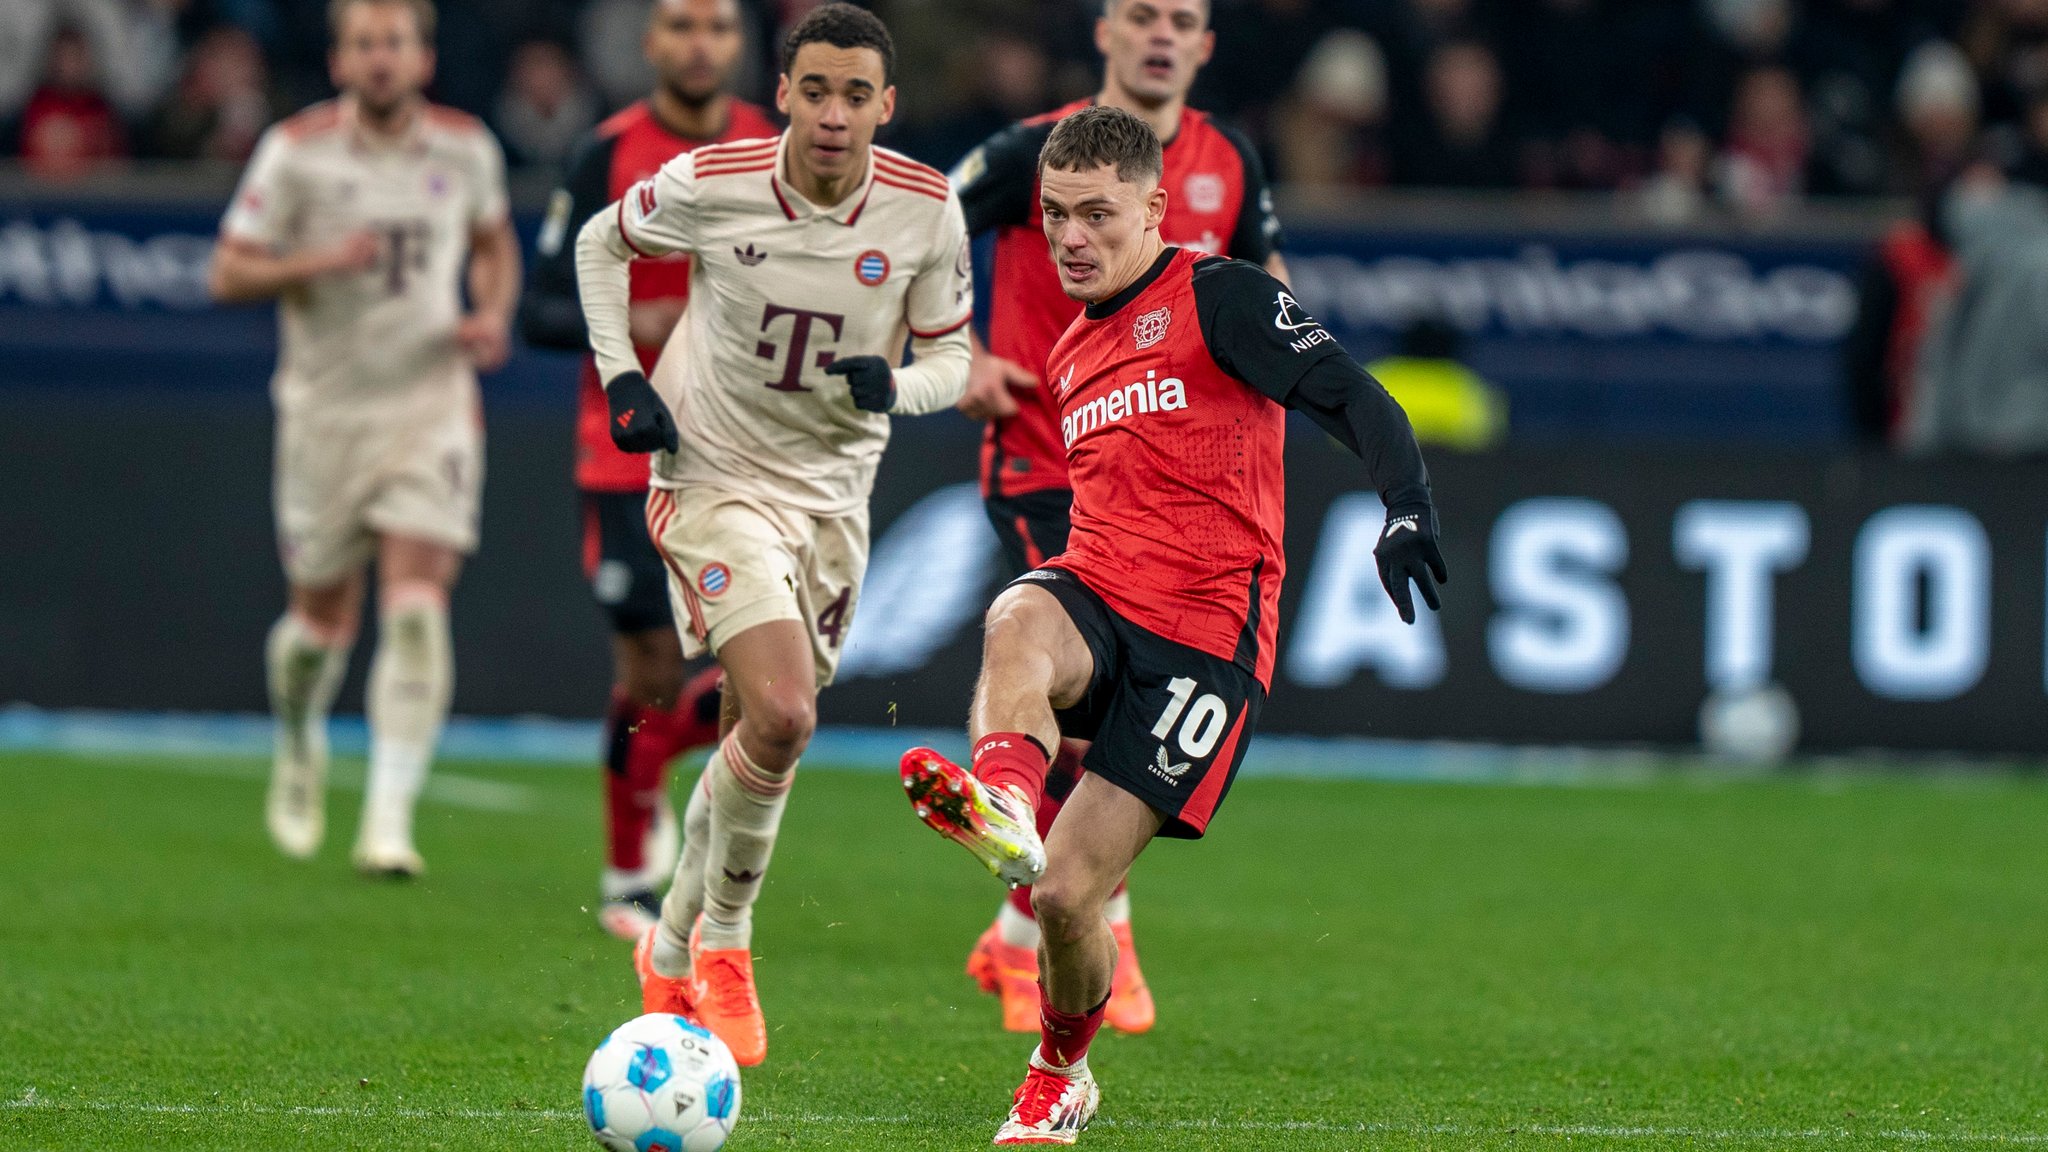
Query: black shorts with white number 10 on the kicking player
x,y
1170,725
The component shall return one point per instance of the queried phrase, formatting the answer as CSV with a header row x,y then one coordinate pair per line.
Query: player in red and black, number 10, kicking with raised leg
x,y
1154,632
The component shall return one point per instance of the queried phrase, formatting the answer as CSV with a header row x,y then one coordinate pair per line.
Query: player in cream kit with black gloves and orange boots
x,y
816,257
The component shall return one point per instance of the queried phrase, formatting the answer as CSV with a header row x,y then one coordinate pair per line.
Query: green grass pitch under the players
x,y
1801,962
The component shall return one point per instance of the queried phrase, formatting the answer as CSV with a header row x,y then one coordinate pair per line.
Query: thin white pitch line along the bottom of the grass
x,y
1324,1126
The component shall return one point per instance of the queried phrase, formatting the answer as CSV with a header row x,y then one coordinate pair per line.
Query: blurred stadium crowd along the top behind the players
x,y
1752,104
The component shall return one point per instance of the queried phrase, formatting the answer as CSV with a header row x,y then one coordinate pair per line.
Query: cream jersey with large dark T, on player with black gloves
x,y
779,290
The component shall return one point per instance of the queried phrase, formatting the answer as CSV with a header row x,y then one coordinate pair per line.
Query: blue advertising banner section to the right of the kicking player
x,y
1658,337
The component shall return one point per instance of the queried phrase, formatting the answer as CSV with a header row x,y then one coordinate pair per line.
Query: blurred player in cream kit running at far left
x,y
361,218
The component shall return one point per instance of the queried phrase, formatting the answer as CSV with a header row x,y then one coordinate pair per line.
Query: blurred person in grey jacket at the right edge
x,y
1981,380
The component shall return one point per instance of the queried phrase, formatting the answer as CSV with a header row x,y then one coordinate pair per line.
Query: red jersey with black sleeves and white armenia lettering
x,y
1172,415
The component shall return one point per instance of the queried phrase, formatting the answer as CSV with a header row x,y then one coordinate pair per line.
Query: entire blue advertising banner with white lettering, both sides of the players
x,y
1623,335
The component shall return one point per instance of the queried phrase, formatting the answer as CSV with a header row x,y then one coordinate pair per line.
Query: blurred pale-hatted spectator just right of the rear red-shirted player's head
x,y
1330,132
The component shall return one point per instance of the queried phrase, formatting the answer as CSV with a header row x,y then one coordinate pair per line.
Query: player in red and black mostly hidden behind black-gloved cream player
x,y
656,712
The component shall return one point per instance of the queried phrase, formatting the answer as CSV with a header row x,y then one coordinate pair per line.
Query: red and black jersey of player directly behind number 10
x,y
1218,202
